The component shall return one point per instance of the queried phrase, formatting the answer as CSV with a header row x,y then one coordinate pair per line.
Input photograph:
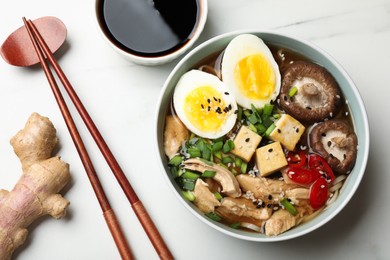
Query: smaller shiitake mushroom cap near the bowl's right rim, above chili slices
x,y
336,142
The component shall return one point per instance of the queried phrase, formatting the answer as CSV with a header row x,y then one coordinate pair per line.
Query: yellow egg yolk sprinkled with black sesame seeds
x,y
204,108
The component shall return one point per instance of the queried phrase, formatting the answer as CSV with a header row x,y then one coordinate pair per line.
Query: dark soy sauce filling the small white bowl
x,y
149,28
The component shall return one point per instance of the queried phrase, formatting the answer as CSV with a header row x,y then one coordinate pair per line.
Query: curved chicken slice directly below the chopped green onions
x,y
223,176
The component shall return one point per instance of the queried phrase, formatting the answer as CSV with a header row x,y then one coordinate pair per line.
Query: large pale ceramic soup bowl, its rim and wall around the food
x,y
317,55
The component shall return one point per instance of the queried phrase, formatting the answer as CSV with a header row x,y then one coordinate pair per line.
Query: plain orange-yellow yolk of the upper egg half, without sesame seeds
x,y
255,77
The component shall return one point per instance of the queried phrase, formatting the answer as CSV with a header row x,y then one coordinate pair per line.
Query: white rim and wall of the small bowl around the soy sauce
x,y
154,60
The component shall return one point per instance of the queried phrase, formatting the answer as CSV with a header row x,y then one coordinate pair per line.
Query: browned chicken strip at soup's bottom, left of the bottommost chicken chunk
x,y
245,208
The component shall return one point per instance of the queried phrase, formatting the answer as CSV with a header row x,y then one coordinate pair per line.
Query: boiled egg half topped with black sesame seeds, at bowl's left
x,y
204,104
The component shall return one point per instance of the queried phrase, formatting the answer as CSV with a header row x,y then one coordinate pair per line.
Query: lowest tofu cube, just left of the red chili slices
x,y
270,158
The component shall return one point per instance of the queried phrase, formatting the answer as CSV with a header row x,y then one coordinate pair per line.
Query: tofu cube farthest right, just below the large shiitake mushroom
x,y
288,131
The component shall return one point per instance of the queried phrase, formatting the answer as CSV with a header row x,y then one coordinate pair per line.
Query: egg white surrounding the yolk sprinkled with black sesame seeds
x,y
189,82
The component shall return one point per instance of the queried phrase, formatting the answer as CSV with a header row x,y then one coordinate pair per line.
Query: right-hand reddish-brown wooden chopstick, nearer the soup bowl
x,y
140,211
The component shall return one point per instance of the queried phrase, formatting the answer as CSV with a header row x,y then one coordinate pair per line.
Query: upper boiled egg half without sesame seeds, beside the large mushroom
x,y
250,71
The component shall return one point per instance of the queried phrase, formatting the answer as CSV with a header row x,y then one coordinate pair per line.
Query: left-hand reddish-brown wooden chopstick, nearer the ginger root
x,y
108,213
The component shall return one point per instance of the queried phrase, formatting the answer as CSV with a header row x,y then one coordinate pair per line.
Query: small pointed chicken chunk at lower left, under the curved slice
x,y
205,200
